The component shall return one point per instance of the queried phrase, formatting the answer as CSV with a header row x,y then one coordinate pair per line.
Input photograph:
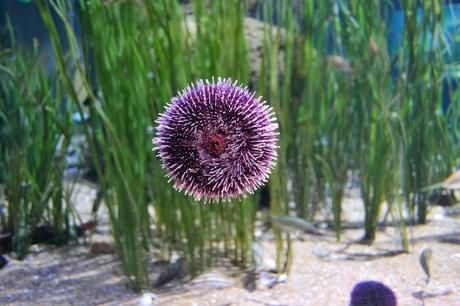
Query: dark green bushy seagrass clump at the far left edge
x,y
35,131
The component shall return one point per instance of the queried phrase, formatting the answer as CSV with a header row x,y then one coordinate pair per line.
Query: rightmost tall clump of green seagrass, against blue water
x,y
425,135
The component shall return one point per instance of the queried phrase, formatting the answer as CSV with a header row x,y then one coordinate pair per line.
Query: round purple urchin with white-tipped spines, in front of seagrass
x,y
216,140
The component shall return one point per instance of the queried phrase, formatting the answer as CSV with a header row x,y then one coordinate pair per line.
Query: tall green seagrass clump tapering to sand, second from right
x,y
373,108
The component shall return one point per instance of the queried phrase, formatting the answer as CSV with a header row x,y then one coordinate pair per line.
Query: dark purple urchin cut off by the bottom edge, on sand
x,y
372,293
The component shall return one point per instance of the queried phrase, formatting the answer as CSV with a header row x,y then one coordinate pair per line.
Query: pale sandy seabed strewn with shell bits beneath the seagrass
x,y
323,272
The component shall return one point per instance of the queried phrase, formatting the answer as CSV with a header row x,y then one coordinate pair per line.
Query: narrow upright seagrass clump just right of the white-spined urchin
x,y
278,93
